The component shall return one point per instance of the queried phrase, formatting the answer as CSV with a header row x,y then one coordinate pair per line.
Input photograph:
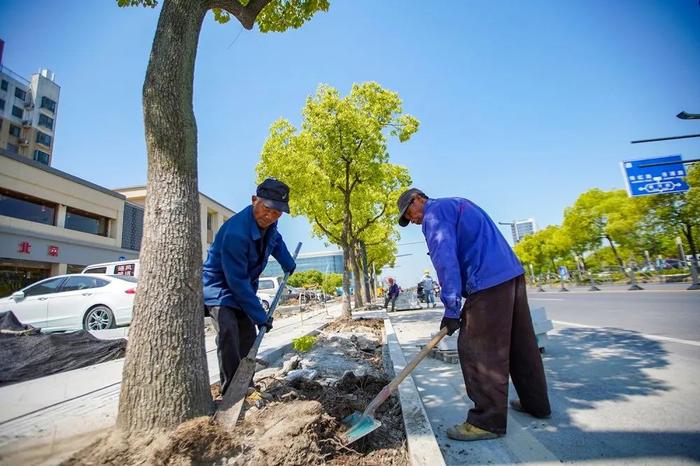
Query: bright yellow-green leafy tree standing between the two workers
x,y
337,167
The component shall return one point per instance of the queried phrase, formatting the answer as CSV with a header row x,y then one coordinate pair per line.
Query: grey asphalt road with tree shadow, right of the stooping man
x,y
624,375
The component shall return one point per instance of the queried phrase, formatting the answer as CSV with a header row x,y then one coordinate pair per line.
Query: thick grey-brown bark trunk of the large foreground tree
x,y
165,378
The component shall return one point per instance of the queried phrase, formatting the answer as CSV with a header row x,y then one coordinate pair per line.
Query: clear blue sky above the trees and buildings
x,y
523,105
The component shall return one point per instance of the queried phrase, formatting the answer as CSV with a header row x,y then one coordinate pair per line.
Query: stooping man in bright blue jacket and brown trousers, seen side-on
x,y
496,338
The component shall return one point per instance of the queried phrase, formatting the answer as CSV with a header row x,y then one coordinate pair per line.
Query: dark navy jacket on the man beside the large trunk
x,y
234,264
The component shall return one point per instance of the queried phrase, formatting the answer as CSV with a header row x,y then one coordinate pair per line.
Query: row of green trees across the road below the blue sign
x,y
609,225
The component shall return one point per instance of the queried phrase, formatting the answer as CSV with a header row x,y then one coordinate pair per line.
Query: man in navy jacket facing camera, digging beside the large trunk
x,y
230,274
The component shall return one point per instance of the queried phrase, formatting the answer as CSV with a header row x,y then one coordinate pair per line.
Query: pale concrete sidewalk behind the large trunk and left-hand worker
x,y
44,420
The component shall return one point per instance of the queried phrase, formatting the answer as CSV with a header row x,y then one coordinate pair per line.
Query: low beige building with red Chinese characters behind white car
x,y
53,223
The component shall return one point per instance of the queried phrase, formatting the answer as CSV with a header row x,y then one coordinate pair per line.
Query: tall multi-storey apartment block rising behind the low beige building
x,y
28,112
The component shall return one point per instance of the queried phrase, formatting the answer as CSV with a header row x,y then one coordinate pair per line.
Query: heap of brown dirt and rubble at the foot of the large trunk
x,y
289,421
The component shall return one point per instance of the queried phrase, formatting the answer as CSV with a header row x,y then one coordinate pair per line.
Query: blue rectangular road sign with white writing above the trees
x,y
660,179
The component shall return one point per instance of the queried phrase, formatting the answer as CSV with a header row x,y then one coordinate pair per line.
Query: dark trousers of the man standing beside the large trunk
x,y
236,335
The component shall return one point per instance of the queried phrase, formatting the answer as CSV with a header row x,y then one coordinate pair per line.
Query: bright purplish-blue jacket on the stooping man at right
x,y
467,250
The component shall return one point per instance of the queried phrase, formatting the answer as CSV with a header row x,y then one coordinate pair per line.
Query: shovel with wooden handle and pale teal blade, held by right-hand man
x,y
361,424
